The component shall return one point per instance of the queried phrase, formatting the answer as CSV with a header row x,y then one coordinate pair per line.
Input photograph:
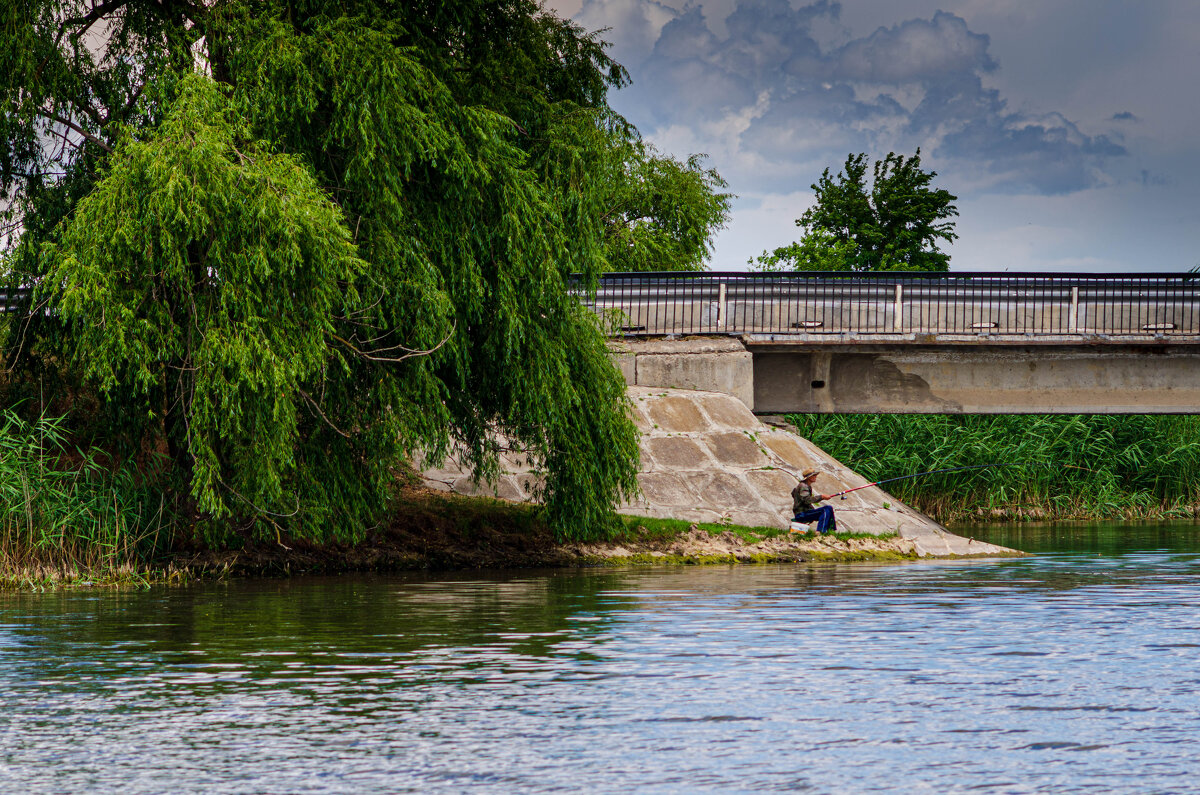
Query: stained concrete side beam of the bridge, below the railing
x,y
994,380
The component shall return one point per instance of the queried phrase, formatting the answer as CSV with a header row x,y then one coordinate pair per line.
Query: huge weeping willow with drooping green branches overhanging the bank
x,y
290,246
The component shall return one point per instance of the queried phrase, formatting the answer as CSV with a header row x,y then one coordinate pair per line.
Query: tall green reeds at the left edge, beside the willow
x,y
65,515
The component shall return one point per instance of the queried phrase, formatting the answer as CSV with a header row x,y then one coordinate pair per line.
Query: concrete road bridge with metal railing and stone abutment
x,y
915,343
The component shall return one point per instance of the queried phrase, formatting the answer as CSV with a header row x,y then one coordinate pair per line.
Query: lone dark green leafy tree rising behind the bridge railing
x,y
896,225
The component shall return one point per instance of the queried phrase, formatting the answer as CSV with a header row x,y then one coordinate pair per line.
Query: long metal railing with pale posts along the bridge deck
x,y
898,303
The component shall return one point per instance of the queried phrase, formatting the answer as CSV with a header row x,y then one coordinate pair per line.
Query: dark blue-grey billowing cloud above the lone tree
x,y
919,83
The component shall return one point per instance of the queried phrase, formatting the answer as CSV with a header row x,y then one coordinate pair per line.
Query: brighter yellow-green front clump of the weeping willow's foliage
x,y
218,268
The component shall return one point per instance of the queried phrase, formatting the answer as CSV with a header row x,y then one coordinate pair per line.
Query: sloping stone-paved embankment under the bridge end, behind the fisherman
x,y
706,458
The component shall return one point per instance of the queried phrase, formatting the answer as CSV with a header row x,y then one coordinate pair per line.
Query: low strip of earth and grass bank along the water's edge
x,y
436,531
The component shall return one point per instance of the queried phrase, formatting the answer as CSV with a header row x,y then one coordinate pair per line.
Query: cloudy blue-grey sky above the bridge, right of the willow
x,y
1070,130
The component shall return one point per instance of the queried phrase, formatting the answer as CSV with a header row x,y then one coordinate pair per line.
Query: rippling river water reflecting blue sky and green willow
x,y
1073,671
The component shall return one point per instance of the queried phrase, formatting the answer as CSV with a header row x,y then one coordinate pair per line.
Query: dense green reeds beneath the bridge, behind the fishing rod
x,y
1055,467
